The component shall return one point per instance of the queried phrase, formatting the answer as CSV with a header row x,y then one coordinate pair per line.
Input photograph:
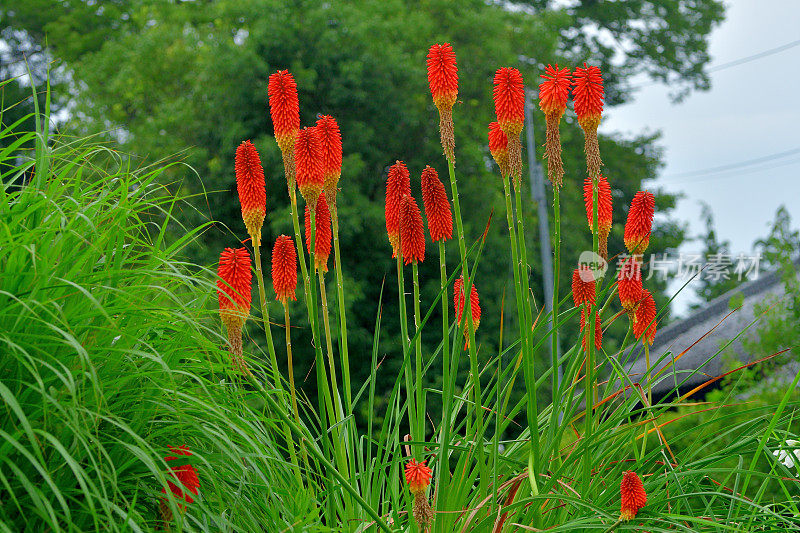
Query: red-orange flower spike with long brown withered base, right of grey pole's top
x,y
553,96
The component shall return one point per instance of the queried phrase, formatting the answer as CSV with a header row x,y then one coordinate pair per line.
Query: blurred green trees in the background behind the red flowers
x,y
189,78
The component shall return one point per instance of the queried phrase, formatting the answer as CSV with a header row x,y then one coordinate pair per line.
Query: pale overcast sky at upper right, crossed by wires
x,y
751,112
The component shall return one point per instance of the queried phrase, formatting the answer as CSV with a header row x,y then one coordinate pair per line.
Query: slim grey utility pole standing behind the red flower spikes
x,y
537,192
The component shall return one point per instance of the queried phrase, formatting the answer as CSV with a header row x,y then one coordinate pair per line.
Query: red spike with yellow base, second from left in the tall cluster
x,y
250,185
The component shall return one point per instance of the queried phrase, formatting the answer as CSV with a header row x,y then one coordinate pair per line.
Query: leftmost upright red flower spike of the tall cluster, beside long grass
x,y
233,287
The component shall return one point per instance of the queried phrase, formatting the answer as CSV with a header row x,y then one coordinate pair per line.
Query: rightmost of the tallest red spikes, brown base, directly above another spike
x,y
588,95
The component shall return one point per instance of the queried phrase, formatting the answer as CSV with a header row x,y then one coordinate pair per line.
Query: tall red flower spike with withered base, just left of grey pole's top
x,y
509,106
